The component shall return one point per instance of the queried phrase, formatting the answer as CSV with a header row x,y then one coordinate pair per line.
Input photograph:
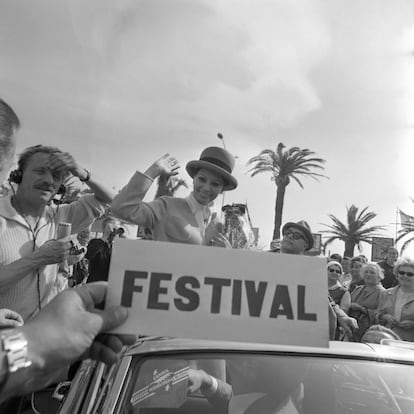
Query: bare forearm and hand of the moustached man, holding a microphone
x,y
51,252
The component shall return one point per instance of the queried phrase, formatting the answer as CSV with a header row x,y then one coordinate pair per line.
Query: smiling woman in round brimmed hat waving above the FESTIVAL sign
x,y
174,219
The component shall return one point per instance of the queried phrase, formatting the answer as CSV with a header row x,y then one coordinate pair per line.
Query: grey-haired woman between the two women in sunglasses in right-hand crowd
x,y
366,298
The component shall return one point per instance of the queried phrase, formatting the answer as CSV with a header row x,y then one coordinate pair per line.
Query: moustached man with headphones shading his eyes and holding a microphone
x,y
29,251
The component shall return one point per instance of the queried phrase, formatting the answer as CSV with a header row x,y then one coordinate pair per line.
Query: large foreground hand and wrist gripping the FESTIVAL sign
x,y
64,331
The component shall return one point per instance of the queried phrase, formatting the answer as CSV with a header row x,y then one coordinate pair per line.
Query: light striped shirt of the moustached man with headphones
x,y
16,241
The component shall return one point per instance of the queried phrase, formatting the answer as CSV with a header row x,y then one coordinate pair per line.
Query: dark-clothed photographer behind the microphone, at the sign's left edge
x,y
99,250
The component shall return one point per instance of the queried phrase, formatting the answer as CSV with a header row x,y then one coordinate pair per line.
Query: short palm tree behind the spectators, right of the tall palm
x,y
354,231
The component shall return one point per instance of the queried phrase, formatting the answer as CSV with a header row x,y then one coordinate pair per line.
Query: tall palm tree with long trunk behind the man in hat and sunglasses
x,y
285,165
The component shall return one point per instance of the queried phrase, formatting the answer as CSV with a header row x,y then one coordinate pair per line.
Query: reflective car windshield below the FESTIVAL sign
x,y
264,383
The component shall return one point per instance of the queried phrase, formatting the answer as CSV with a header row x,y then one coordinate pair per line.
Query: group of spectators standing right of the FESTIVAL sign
x,y
375,293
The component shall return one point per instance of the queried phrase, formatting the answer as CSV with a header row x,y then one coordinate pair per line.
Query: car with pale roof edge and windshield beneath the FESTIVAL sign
x,y
156,376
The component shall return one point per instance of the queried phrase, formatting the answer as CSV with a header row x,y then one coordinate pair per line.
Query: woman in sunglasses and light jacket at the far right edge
x,y
396,309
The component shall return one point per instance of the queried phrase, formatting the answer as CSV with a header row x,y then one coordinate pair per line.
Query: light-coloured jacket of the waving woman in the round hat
x,y
171,219
